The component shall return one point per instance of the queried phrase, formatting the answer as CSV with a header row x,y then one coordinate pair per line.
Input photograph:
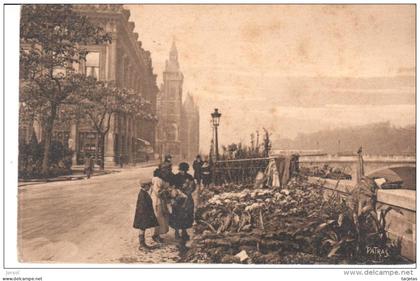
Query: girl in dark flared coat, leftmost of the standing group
x,y
145,216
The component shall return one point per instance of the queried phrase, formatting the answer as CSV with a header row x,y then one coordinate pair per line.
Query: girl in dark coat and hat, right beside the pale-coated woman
x,y
182,216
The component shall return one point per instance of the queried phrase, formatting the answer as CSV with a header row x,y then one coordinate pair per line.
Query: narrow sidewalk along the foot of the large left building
x,y
78,173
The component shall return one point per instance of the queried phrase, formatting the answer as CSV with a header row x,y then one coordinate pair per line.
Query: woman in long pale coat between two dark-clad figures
x,y
158,195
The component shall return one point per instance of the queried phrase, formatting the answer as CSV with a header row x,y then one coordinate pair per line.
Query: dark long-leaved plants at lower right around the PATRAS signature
x,y
352,225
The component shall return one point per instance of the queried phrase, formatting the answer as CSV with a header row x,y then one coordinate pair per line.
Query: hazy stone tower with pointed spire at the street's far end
x,y
176,120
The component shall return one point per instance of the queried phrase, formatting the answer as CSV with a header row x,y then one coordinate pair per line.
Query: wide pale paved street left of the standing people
x,y
86,221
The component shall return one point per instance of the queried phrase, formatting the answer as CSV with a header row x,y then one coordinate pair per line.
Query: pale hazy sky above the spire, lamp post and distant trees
x,y
290,68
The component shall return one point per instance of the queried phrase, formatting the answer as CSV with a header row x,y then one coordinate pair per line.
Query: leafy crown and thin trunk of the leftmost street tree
x,y
53,37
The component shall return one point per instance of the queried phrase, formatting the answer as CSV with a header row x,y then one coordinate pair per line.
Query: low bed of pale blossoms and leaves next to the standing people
x,y
269,224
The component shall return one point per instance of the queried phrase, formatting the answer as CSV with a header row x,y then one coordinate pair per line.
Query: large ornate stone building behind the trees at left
x,y
130,66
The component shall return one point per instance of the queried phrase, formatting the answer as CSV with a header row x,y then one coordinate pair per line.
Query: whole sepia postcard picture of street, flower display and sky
x,y
231,135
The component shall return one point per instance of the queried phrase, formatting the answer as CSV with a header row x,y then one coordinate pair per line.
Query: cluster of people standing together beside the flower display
x,y
167,200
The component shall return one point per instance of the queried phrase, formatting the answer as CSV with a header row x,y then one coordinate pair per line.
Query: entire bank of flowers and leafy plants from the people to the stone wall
x,y
290,225
